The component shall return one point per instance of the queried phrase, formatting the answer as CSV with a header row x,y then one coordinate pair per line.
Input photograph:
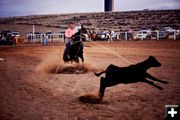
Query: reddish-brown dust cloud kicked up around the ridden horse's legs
x,y
53,63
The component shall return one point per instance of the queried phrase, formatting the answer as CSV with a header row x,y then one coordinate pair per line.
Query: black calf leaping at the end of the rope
x,y
134,73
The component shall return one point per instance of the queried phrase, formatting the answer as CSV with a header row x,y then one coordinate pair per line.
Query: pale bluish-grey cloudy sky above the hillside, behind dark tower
x,y
36,7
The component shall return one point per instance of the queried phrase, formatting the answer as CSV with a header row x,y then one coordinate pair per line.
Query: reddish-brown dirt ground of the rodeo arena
x,y
29,90
